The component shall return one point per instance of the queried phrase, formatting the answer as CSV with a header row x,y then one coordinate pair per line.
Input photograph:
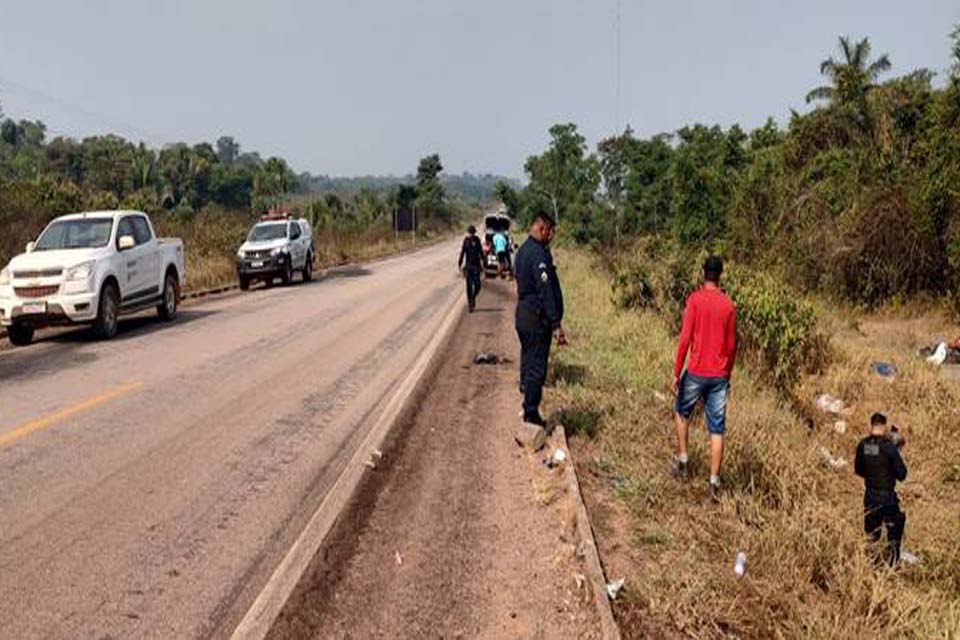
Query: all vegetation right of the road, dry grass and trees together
x,y
841,233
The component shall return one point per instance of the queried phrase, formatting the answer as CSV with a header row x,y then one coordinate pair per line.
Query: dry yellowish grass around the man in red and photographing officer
x,y
798,521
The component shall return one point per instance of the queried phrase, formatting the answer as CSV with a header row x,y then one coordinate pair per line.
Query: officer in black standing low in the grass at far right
x,y
879,463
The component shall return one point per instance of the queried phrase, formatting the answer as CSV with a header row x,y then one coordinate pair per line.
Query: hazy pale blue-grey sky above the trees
x,y
370,86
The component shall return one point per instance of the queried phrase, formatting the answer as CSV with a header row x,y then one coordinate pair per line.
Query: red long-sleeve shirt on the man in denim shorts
x,y
709,334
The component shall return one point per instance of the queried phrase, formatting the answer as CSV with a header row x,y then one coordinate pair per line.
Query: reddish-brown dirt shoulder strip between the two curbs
x,y
457,533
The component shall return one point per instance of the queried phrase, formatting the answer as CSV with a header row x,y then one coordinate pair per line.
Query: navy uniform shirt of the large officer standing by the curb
x,y
539,298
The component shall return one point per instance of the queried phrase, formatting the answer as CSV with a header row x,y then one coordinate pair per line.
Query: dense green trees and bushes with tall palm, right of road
x,y
859,197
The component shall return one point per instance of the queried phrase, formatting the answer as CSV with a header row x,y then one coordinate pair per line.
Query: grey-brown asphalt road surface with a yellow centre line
x,y
149,485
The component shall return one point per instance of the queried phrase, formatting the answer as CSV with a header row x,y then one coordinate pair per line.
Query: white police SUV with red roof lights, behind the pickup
x,y
276,247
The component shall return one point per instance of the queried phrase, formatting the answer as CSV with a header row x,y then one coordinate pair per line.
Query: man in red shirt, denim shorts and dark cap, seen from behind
x,y
709,337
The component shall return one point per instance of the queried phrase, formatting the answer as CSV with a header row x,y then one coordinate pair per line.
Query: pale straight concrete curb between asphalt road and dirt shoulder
x,y
258,620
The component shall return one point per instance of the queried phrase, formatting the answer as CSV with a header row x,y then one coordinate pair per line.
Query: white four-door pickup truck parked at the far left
x,y
90,268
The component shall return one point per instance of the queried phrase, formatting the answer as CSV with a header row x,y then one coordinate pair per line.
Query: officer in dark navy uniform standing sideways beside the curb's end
x,y
539,314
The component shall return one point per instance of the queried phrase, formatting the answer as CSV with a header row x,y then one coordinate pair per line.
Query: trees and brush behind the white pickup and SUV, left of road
x,y
210,195
